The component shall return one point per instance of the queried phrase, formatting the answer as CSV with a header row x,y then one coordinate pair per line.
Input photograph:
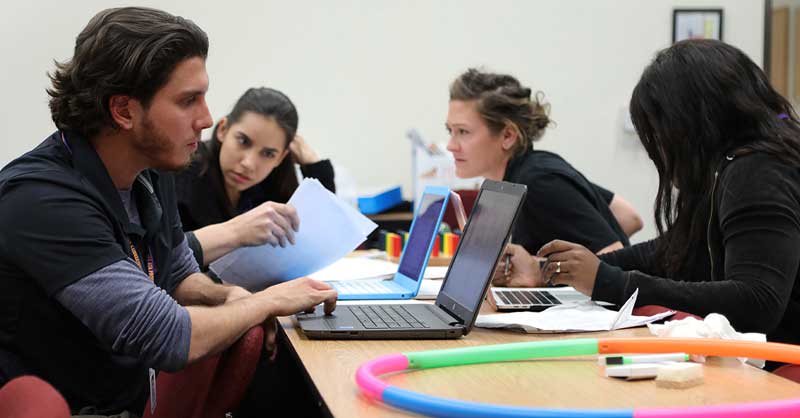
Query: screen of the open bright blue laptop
x,y
419,239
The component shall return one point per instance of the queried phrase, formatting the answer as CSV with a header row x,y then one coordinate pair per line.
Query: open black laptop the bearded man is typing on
x,y
465,284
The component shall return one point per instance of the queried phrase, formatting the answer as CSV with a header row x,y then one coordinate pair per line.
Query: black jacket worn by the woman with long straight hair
x,y
755,248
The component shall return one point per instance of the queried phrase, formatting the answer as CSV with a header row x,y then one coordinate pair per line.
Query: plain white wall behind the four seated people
x,y
362,72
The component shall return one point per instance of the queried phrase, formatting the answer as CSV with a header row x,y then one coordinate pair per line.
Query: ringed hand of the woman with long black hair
x,y
570,264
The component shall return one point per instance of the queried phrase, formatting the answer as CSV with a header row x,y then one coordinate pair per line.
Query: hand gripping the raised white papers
x,y
270,222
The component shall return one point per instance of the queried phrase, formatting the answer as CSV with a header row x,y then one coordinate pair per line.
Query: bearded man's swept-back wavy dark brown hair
x,y
130,51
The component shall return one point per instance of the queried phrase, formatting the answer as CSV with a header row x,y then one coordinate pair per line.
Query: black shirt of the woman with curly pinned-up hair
x,y
561,204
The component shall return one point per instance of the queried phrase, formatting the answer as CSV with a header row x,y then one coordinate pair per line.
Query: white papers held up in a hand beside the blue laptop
x,y
329,230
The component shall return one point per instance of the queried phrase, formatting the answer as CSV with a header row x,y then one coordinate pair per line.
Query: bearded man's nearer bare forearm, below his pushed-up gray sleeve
x,y
216,328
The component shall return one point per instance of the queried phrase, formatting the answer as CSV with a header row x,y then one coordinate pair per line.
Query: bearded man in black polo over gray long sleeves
x,y
98,287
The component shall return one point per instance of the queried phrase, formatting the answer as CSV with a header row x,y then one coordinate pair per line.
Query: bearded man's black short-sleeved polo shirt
x,y
62,219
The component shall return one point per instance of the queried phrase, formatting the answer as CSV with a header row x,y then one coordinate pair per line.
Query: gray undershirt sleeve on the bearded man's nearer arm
x,y
133,316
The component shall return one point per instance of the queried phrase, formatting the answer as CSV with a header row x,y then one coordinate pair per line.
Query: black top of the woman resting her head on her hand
x,y
203,201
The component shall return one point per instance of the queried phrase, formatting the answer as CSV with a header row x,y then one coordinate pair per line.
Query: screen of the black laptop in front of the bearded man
x,y
489,224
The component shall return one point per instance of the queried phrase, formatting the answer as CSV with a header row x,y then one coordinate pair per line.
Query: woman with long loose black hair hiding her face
x,y
727,149
